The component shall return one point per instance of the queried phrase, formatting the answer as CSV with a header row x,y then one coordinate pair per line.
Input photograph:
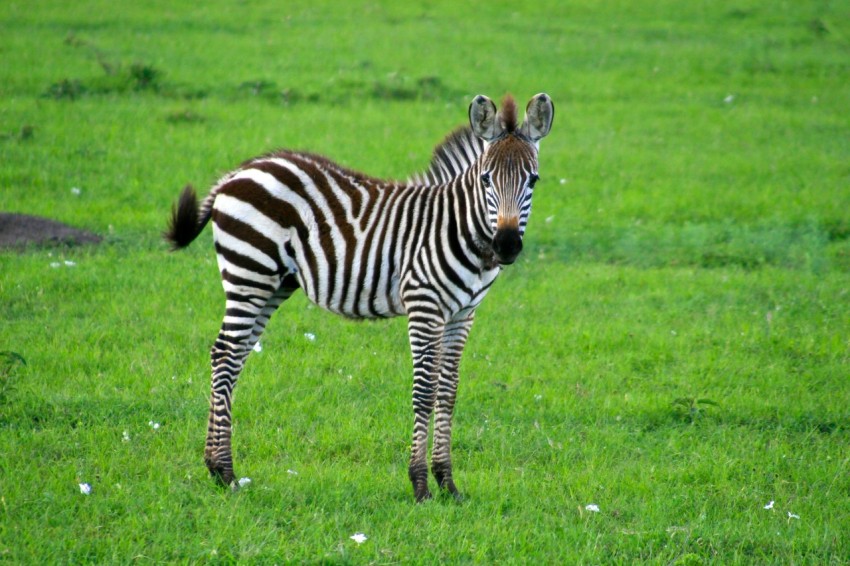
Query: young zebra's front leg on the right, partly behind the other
x,y
454,340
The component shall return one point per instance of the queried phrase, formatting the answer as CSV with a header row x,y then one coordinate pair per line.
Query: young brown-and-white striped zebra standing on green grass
x,y
429,248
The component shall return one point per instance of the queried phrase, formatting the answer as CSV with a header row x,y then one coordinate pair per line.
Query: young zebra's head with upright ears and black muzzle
x,y
507,170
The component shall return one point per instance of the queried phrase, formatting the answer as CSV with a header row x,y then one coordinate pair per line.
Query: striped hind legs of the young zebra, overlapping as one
x,y
246,318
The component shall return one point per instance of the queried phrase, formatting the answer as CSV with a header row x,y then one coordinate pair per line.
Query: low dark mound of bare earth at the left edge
x,y
22,230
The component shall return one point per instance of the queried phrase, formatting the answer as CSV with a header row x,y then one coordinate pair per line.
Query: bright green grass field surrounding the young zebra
x,y
672,347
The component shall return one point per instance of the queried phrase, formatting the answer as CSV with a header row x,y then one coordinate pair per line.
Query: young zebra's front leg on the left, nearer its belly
x,y
426,334
